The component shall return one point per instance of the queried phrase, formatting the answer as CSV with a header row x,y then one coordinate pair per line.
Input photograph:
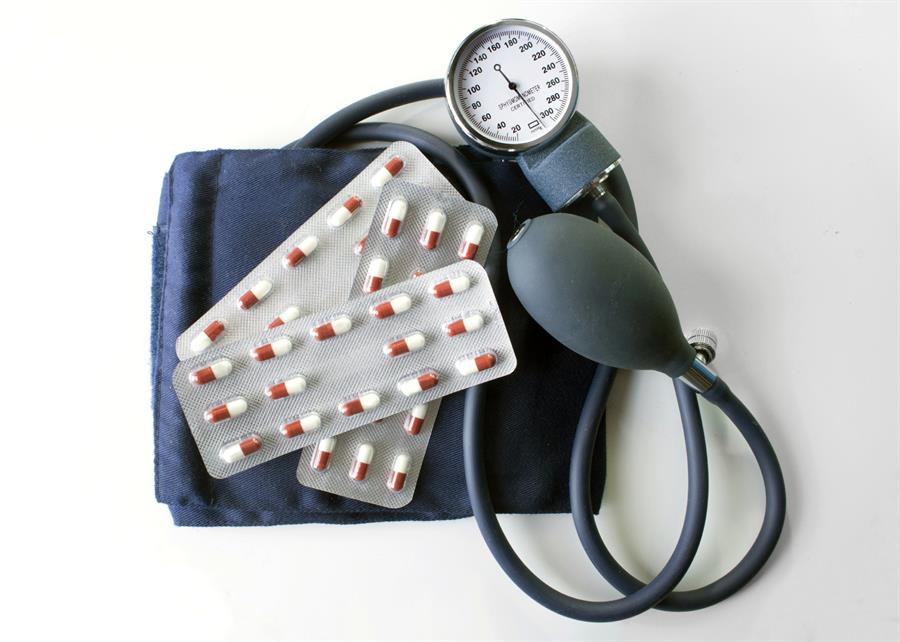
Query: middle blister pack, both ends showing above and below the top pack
x,y
415,230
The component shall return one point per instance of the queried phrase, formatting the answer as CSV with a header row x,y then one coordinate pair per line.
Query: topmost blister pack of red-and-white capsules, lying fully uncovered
x,y
374,356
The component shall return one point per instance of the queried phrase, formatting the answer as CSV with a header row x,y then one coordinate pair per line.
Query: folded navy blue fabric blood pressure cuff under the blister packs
x,y
220,214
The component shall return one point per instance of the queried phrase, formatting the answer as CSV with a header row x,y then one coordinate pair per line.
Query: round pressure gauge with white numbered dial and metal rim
x,y
511,86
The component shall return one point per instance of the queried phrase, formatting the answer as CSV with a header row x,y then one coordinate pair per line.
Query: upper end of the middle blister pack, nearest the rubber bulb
x,y
417,230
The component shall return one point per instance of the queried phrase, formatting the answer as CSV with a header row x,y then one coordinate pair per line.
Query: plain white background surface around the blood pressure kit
x,y
761,142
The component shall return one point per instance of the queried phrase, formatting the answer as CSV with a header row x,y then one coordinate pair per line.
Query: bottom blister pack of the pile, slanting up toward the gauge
x,y
312,269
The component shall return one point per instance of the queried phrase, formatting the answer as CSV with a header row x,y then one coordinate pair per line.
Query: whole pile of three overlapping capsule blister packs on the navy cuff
x,y
344,339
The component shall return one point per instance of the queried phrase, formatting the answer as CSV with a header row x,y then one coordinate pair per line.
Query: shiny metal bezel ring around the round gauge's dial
x,y
472,134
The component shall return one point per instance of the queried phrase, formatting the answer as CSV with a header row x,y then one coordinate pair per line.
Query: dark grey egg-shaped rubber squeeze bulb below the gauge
x,y
596,294
